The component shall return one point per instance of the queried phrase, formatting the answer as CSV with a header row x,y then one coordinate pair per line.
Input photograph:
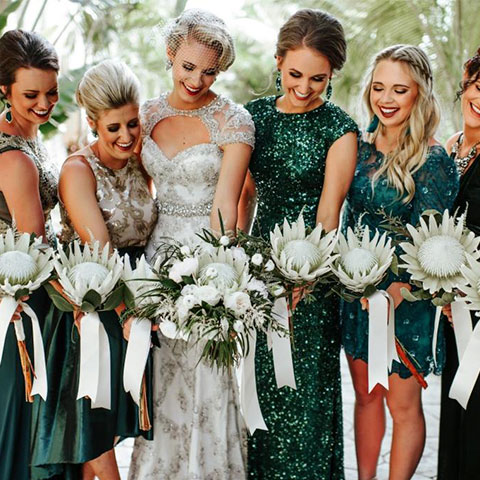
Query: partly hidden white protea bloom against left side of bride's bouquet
x,y
141,281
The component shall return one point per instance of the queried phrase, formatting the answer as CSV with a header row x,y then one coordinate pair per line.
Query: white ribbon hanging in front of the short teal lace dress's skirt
x,y
381,339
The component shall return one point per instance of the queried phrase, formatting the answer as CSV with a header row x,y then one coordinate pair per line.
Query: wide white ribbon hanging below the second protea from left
x,y
94,380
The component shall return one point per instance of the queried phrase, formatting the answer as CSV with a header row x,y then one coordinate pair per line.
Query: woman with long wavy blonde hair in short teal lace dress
x,y
403,171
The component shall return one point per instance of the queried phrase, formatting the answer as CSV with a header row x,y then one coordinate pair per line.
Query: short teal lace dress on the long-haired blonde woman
x,y
436,186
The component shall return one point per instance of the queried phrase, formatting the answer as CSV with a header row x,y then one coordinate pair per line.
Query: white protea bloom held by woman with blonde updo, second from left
x,y
88,268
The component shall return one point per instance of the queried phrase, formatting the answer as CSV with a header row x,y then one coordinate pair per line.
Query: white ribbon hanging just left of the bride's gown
x,y
136,357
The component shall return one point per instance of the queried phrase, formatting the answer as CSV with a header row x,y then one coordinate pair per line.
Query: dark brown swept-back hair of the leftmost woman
x,y
22,49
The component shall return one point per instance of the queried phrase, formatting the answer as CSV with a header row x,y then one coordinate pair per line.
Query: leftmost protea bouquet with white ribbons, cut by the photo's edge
x,y
25,264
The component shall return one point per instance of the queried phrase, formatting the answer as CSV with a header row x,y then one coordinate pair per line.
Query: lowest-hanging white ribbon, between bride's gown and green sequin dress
x,y
247,385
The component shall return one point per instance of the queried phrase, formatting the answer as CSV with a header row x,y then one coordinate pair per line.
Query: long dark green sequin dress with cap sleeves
x,y
304,438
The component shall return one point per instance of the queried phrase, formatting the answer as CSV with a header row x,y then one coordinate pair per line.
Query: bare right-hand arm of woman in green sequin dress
x,y
339,170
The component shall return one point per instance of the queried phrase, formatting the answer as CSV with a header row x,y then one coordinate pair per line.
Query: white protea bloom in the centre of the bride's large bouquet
x,y
223,270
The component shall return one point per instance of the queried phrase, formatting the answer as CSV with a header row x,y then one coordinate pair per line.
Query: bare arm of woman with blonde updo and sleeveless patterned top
x,y
77,191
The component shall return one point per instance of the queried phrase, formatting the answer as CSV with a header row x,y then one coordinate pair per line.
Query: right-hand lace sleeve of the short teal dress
x,y
436,184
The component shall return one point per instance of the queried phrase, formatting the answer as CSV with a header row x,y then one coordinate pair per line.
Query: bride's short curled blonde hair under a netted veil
x,y
205,28
